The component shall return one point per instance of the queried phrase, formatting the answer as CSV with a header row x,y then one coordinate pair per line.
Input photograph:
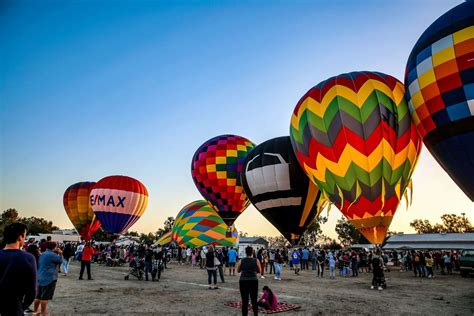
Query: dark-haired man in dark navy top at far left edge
x,y
17,272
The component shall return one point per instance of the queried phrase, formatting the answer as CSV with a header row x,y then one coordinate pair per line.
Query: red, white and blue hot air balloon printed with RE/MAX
x,y
118,202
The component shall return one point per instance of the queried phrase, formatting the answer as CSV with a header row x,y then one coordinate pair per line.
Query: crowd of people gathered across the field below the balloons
x,y
29,268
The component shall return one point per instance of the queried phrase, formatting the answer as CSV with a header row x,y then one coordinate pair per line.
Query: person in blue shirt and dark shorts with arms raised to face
x,y
49,262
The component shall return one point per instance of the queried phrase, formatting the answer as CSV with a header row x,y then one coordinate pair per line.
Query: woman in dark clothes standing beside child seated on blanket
x,y
248,268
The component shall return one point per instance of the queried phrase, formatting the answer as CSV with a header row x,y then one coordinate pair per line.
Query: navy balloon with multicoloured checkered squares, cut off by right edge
x,y
440,92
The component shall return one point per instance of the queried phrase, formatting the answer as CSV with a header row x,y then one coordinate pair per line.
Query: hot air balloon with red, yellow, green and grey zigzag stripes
x,y
354,138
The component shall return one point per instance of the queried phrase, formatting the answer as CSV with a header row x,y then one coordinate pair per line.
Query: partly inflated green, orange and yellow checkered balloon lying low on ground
x,y
198,224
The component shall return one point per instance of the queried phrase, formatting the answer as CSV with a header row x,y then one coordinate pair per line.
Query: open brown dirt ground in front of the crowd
x,y
183,290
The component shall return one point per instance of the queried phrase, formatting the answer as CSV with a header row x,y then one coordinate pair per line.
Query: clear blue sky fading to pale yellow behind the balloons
x,y
95,88
